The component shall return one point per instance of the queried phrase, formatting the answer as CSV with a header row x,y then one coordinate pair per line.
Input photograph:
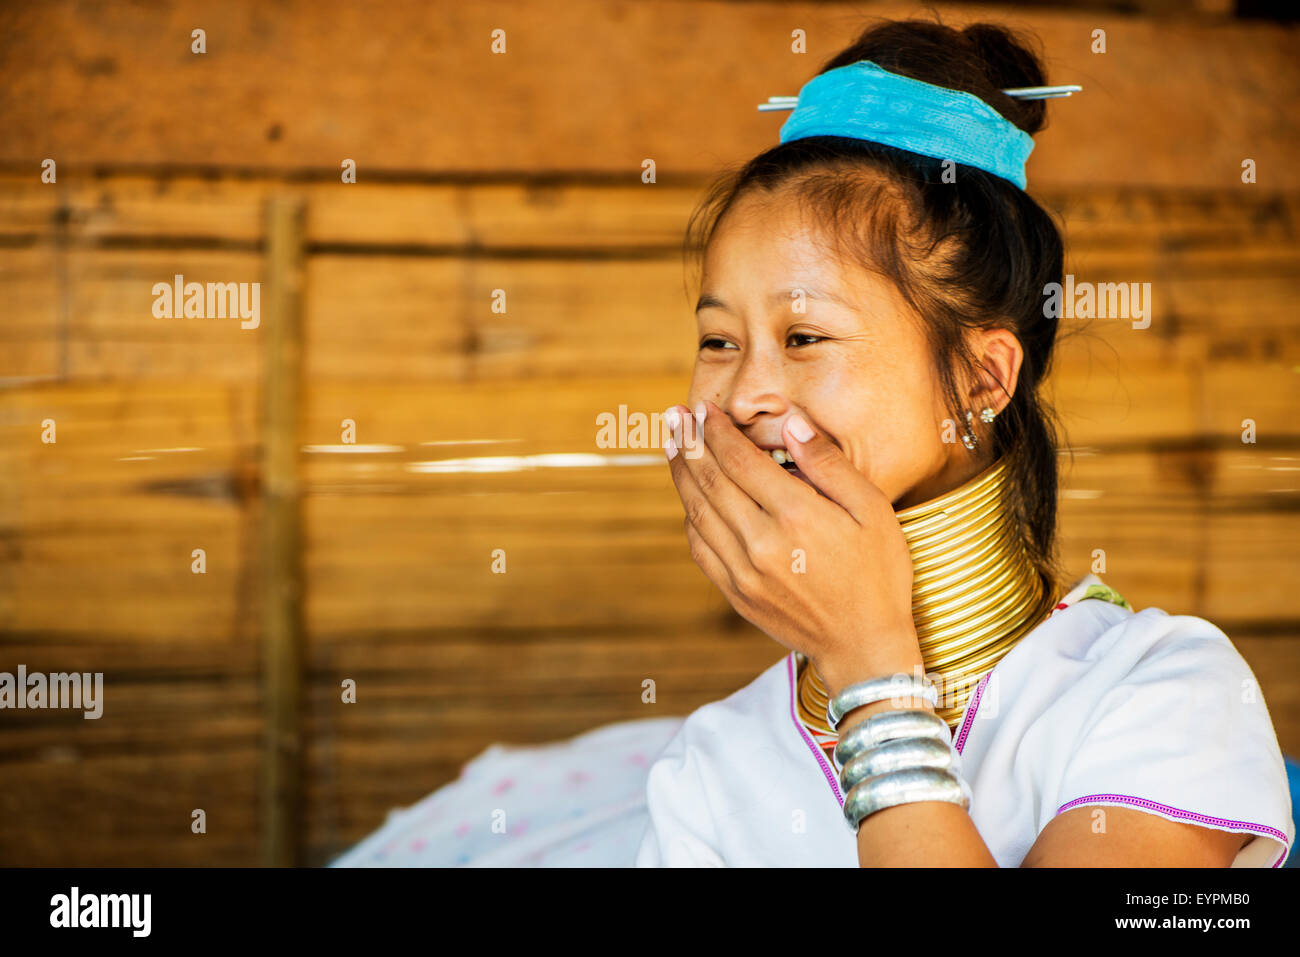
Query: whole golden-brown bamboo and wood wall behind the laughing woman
x,y
521,174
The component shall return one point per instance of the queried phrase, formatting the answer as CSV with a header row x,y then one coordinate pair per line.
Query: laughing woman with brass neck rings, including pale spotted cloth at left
x,y
870,477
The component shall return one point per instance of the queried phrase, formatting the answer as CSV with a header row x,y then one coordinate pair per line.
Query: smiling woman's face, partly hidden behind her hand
x,y
853,362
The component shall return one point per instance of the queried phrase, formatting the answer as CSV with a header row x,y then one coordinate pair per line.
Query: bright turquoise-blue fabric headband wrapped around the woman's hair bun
x,y
866,102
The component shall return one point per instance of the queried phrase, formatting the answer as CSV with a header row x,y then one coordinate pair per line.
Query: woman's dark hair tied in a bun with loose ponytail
x,y
968,254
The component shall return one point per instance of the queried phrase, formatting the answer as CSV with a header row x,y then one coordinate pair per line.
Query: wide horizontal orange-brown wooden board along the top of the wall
x,y
595,86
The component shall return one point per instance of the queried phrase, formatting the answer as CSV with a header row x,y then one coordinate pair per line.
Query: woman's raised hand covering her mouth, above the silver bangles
x,y
829,575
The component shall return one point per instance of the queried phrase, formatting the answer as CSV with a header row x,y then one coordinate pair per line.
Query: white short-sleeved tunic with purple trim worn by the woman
x,y
1097,707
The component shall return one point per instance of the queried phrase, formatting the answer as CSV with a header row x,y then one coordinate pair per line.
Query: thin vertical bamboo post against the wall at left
x,y
283,630
